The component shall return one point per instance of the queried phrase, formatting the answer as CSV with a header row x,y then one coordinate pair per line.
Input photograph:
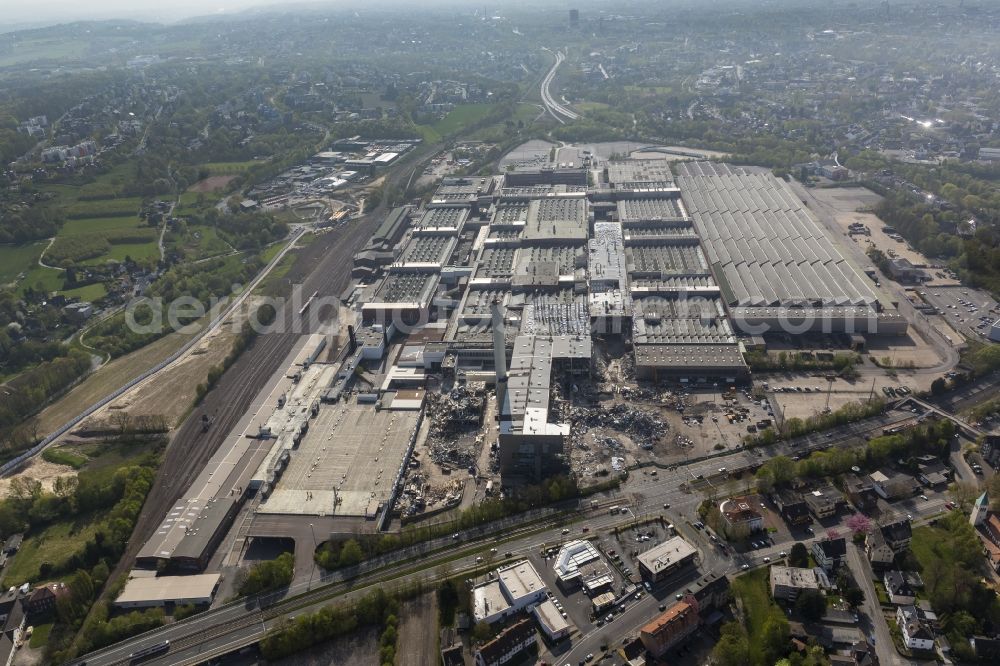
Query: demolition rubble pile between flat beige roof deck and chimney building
x,y
454,418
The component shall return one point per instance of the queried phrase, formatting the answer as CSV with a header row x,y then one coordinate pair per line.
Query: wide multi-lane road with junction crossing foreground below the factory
x,y
236,625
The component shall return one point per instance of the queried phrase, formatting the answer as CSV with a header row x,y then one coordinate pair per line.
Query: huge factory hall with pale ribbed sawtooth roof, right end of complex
x,y
776,267
